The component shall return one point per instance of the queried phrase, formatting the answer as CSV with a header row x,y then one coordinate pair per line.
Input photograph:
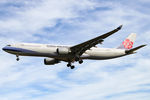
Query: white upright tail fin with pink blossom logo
x,y
128,42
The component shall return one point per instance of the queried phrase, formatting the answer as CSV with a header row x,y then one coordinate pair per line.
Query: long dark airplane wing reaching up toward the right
x,y
82,47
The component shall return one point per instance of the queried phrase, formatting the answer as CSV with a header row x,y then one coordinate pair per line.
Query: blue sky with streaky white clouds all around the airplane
x,y
72,22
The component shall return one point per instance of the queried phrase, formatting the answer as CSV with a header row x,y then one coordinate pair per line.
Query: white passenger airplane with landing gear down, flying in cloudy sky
x,y
54,54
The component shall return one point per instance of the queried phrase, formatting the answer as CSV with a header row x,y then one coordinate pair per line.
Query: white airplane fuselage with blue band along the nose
x,y
46,50
